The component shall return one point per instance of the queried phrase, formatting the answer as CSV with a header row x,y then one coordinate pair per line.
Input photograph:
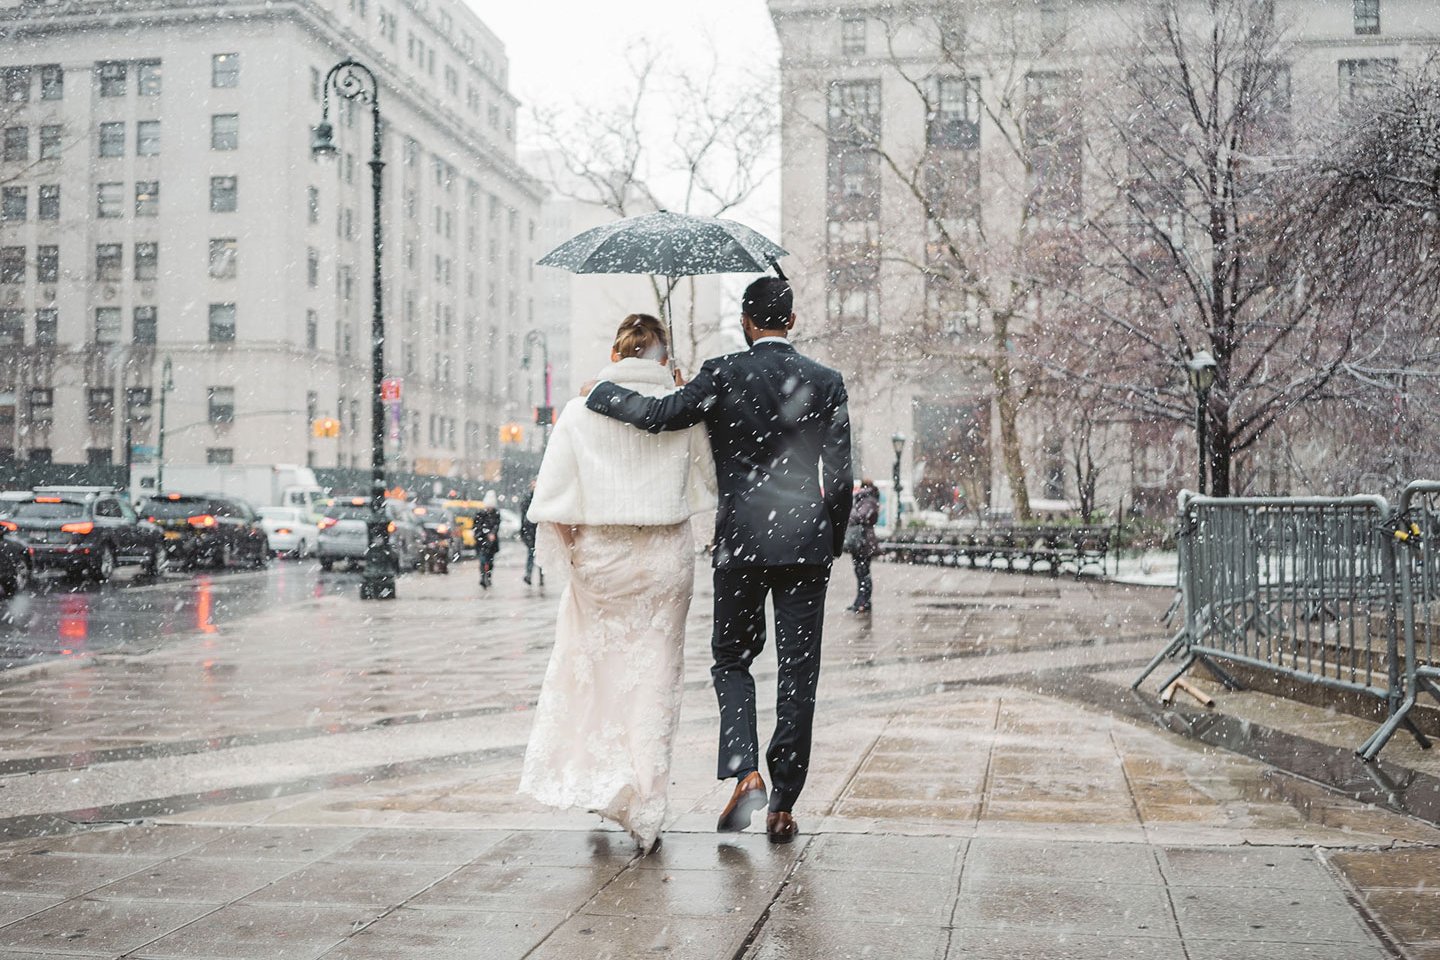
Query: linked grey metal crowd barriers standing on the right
x,y
1333,592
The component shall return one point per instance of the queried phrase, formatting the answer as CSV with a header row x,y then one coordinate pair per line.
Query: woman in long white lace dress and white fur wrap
x,y
614,507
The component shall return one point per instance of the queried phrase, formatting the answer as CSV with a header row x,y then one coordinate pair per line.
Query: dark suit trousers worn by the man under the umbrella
x,y
739,637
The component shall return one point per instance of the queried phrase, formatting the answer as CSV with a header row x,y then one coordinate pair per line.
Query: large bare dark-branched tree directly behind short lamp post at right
x,y
1202,248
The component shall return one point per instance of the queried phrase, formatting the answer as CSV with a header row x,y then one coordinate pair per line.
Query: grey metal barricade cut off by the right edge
x,y
1416,543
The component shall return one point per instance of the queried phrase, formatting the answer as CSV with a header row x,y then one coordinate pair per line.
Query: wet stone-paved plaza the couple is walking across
x,y
319,778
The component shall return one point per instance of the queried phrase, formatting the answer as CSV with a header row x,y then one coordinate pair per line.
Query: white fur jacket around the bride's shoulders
x,y
601,471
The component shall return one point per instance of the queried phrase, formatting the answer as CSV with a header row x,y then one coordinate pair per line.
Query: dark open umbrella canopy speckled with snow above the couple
x,y
667,245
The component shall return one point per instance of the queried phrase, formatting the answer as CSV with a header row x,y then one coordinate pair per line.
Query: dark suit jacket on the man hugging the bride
x,y
780,431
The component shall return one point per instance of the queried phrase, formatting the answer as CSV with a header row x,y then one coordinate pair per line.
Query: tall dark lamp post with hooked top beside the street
x,y
354,81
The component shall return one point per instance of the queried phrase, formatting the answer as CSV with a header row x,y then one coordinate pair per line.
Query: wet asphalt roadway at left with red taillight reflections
x,y
66,617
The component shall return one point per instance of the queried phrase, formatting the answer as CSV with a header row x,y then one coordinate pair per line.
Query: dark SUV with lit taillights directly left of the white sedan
x,y
218,532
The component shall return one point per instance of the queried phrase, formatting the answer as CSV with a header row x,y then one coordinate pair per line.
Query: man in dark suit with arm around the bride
x,y
780,431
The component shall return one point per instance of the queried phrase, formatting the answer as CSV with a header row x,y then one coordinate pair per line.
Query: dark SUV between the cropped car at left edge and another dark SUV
x,y
87,533
